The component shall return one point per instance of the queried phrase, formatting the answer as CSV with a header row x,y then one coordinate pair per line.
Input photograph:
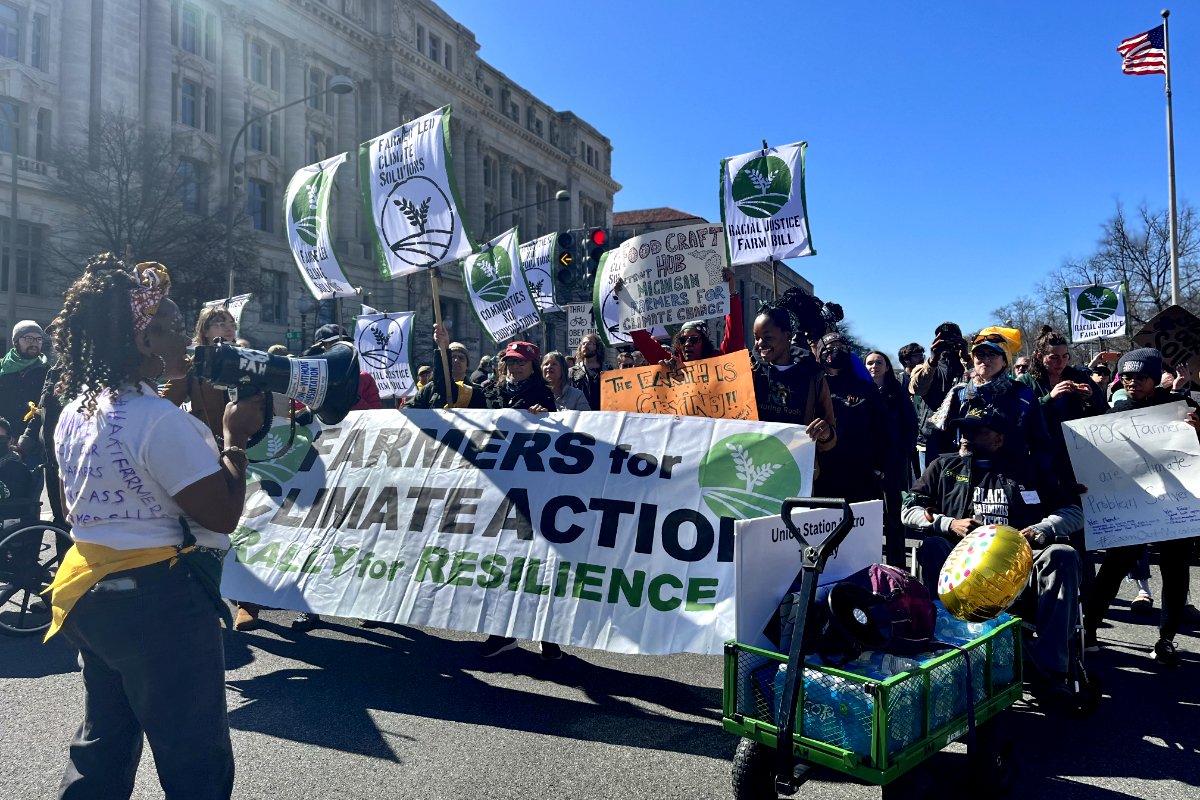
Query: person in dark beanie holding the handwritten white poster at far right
x,y
1141,374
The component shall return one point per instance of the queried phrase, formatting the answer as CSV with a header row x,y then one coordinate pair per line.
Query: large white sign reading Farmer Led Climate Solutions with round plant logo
x,y
407,182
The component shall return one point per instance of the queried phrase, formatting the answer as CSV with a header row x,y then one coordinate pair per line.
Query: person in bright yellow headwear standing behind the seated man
x,y
989,388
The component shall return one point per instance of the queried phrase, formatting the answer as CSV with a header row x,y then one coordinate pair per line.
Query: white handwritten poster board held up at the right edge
x,y
1142,471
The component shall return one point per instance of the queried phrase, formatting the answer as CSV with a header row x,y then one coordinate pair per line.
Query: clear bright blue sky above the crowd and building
x,y
958,152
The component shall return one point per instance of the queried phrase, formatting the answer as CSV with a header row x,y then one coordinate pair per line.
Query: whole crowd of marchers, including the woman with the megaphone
x,y
970,436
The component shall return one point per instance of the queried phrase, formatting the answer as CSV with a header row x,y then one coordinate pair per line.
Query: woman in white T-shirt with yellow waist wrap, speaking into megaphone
x,y
151,500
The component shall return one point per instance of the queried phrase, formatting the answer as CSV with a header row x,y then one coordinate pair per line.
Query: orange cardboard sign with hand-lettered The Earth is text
x,y
722,387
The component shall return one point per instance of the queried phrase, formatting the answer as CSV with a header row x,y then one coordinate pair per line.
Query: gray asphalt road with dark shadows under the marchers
x,y
415,713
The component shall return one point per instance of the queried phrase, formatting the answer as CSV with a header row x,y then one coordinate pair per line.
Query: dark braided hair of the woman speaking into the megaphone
x,y
94,333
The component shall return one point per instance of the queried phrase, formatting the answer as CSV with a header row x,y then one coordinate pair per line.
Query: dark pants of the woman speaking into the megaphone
x,y
153,661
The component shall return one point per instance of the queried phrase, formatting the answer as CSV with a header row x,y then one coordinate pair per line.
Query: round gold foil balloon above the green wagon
x,y
985,574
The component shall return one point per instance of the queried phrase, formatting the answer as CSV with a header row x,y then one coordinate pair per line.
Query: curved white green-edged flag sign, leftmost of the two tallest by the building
x,y
308,226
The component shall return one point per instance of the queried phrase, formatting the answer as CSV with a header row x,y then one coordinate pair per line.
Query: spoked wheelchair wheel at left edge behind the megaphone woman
x,y
29,556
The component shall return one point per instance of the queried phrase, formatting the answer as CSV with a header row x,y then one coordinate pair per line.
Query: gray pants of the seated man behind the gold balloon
x,y
1055,579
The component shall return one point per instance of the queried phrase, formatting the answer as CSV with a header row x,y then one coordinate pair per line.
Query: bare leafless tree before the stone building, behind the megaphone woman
x,y
134,193
